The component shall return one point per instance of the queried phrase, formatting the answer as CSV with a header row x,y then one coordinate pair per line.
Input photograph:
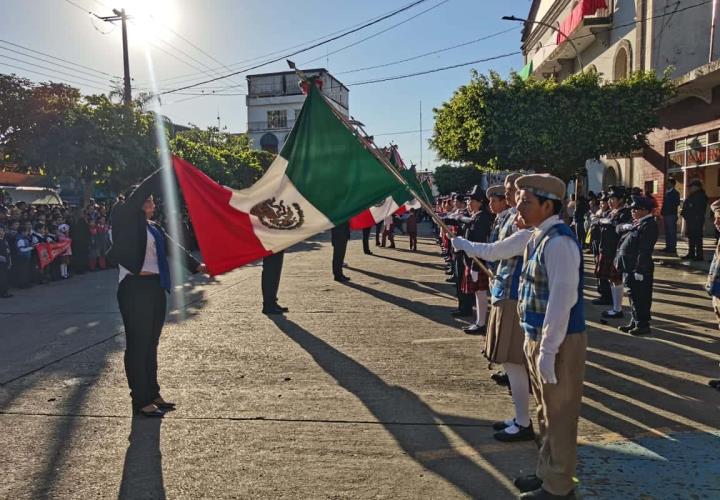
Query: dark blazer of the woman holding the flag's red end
x,y
129,229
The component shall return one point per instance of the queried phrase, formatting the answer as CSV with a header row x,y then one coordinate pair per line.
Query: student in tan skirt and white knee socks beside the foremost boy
x,y
505,337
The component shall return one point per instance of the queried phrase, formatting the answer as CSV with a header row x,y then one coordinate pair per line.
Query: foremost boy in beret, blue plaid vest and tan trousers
x,y
550,308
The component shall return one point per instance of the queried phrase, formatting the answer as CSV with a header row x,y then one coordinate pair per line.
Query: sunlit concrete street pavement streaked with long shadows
x,y
365,390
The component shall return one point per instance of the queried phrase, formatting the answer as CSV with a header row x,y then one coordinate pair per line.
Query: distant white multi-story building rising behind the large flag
x,y
274,101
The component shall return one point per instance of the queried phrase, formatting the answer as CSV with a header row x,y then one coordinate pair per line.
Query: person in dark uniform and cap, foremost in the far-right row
x,y
634,260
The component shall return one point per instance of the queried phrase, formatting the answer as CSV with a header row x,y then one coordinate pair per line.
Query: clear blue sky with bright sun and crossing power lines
x,y
235,31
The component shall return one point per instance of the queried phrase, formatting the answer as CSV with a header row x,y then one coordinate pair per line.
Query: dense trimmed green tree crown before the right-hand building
x,y
547,125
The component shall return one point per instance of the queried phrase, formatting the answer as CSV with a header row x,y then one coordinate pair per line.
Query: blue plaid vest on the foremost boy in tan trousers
x,y
535,290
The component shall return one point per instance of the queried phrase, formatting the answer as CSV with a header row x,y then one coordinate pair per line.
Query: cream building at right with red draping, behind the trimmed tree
x,y
615,37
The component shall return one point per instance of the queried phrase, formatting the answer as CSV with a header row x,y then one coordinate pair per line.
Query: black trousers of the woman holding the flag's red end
x,y
142,306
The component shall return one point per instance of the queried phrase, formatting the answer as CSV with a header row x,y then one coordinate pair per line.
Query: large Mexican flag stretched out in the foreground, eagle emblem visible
x,y
322,177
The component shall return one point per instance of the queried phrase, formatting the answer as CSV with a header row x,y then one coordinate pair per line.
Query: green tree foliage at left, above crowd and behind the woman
x,y
51,128
